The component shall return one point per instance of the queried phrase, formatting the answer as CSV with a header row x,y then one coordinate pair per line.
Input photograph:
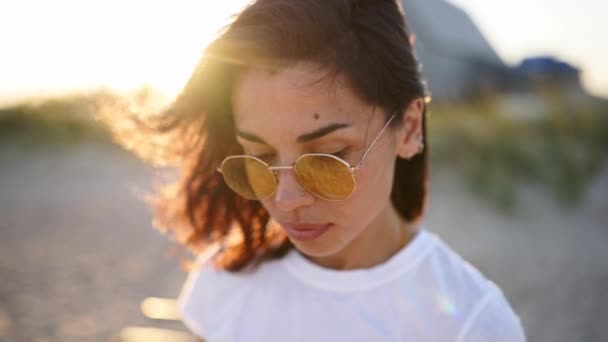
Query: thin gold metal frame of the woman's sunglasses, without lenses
x,y
352,168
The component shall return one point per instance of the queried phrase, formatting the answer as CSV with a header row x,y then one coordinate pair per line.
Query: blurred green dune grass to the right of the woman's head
x,y
497,155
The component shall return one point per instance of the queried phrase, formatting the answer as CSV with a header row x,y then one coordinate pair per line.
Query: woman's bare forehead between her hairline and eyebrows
x,y
295,100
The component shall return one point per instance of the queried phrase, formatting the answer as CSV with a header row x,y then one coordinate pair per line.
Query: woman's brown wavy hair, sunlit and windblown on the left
x,y
366,41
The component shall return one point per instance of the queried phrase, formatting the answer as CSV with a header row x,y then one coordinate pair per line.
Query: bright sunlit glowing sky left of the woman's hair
x,y
65,45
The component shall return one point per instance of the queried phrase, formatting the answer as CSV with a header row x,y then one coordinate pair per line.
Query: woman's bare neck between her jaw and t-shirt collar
x,y
386,235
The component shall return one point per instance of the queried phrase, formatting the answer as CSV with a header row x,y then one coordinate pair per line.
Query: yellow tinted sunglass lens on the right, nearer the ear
x,y
325,176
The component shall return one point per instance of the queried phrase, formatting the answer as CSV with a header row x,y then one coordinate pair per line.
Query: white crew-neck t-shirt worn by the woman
x,y
425,292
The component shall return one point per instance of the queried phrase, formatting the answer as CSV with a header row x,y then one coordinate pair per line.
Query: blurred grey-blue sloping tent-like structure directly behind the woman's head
x,y
456,58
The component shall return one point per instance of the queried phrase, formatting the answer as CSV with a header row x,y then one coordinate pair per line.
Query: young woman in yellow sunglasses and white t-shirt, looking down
x,y
302,147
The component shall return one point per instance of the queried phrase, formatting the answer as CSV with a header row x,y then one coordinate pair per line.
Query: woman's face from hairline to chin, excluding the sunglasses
x,y
274,116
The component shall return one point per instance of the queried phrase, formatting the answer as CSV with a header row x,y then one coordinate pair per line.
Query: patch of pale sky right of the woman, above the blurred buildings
x,y
575,31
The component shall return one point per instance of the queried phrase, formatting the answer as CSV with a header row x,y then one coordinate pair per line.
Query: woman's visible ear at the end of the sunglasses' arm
x,y
409,136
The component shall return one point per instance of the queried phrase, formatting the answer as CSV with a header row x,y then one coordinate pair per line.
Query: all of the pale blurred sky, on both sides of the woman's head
x,y
50,47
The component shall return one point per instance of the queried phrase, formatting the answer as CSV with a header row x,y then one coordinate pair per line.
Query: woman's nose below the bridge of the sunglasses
x,y
290,194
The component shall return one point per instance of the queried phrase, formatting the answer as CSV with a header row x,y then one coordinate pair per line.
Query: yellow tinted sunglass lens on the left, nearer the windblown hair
x,y
249,177
